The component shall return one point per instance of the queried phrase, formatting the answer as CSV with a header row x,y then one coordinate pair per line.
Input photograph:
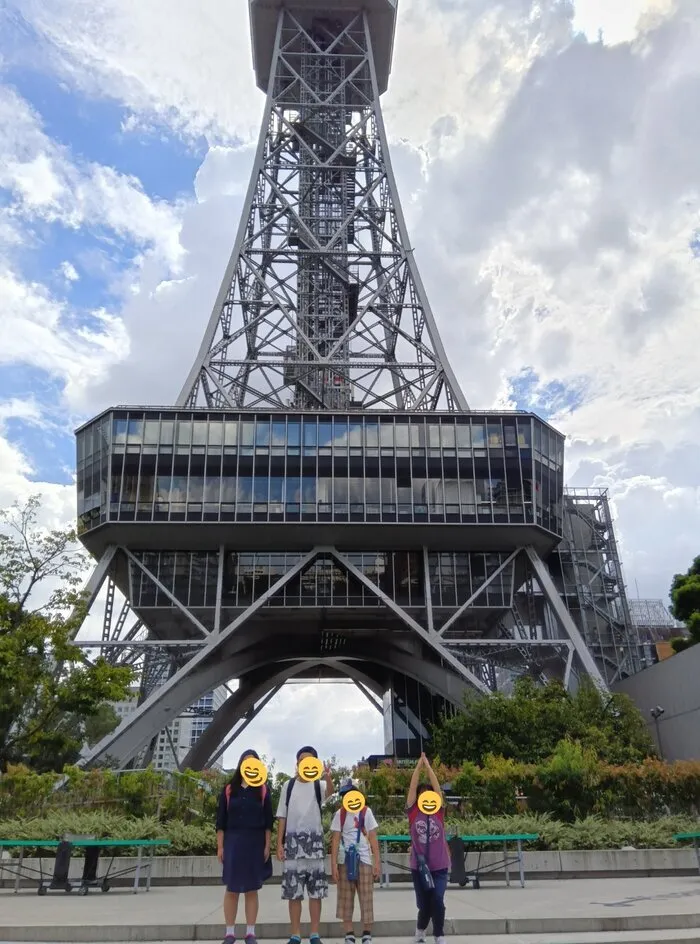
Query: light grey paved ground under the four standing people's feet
x,y
588,911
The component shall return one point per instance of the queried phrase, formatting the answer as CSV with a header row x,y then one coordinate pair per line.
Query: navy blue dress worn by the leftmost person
x,y
244,820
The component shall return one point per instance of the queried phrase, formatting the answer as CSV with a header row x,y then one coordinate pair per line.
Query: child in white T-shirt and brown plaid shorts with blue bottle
x,y
354,846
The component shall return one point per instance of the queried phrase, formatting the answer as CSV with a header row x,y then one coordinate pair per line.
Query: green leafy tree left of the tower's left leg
x,y
52,698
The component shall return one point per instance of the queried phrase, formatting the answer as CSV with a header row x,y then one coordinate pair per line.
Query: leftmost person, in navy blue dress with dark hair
x,y
243,833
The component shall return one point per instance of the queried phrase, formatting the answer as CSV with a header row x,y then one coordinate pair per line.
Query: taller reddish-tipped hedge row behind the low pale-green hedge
x,y
571,785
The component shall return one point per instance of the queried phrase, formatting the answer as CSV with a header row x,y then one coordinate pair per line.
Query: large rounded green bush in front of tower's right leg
x,y
528,725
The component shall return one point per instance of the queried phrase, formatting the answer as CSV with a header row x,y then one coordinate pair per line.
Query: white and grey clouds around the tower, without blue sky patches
x,y
553,193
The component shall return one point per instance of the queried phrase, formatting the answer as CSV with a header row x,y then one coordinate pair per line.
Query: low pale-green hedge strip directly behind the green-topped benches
x,y
589,833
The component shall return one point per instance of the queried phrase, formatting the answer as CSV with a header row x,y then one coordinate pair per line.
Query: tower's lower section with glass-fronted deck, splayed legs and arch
x,y
423,557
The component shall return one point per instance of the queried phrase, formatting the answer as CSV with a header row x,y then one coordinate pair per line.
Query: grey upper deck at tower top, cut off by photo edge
x,y
381,18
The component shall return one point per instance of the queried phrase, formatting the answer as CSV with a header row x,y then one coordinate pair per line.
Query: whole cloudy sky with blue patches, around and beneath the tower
x,y
547,158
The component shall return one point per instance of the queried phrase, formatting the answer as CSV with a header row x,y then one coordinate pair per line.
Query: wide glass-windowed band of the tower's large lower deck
x,y
165,465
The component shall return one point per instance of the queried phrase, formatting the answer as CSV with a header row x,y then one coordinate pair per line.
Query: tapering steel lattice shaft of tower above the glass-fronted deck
x,y
322,306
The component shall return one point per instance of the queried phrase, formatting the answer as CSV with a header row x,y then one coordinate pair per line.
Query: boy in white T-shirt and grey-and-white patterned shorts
x,y
301,848
